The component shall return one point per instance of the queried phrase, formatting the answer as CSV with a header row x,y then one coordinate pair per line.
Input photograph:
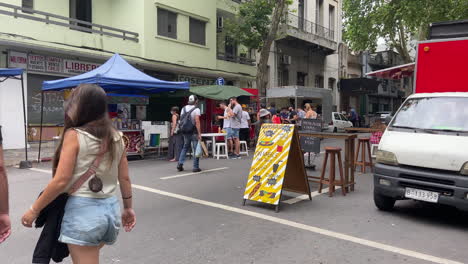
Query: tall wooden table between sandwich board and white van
x,y
349,153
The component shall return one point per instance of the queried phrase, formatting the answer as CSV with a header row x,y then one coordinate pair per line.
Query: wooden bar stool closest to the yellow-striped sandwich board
x,y
331,182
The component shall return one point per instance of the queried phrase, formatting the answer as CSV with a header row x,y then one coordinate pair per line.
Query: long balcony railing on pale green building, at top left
x,y
66,22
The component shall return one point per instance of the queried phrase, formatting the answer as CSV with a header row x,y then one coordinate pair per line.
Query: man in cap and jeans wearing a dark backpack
x,y
189,126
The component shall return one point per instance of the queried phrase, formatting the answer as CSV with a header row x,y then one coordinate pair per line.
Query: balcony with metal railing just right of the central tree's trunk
x,y
314,35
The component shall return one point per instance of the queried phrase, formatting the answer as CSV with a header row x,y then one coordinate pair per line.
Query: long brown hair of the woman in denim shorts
x,y
86,109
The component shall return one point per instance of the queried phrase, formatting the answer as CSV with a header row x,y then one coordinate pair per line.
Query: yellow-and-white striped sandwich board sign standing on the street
x,y
278,164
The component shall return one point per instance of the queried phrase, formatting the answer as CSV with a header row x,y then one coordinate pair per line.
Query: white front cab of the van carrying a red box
x,y
423,154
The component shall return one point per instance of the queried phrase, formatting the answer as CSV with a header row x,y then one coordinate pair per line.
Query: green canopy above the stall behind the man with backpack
x,y
219,92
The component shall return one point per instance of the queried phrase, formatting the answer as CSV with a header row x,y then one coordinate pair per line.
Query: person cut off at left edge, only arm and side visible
x,y
5,224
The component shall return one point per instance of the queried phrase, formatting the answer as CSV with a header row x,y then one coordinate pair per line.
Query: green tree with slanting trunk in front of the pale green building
x,y
256,27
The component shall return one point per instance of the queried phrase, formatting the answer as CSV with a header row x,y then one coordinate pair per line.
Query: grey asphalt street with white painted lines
x,y
199,218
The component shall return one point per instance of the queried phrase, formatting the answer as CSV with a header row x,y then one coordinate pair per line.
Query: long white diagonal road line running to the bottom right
x,y
309,228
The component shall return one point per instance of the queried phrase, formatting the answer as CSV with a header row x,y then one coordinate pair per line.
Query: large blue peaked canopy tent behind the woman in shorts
x,y
115,76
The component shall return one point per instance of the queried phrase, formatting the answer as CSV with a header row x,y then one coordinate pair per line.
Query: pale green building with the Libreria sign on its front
x,y
174,40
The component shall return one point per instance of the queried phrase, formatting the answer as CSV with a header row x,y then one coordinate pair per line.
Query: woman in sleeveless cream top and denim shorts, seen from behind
x,y
90,146
